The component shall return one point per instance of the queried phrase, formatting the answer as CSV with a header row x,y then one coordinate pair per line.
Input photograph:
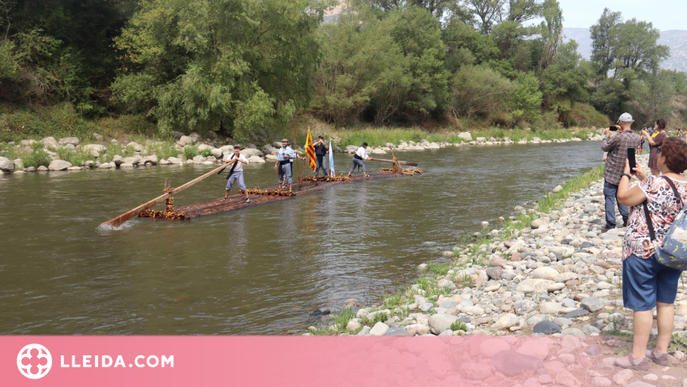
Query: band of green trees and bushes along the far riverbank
x,y
250,70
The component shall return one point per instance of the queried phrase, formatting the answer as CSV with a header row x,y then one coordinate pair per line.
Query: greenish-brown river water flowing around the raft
x,y
260,270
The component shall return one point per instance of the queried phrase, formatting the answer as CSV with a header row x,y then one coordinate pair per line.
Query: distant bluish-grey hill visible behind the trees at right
x,y
675,39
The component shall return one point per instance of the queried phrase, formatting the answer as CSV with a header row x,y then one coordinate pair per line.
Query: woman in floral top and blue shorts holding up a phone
x,y
646,282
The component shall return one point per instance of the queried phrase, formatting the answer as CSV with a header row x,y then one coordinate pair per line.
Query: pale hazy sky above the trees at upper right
x,y
664,14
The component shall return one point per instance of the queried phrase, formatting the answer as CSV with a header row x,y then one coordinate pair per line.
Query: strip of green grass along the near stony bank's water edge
x,y
476,247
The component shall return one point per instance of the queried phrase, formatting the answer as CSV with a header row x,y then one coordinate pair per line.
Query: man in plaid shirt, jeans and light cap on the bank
x,y
616,146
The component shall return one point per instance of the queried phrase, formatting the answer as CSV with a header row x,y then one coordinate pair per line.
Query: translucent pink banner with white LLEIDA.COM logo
x,y
318,361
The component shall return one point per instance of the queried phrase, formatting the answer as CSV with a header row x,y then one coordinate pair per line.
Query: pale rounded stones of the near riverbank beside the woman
x,y
557,275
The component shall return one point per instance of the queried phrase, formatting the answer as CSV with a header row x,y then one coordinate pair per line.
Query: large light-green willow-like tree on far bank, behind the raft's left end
x,y
216,65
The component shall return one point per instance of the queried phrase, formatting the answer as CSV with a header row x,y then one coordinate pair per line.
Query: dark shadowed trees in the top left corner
x,y
77,61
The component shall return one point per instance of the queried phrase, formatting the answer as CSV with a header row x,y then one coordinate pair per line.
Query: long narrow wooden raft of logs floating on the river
x,y
237,202
